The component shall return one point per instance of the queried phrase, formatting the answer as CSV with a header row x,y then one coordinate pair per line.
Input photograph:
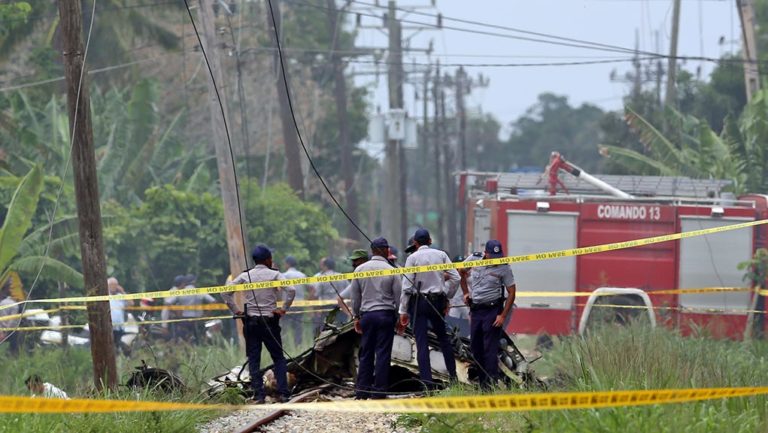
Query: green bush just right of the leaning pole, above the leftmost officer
x,y
279,219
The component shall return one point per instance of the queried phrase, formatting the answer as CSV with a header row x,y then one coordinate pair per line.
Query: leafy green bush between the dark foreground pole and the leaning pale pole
x,y
172,232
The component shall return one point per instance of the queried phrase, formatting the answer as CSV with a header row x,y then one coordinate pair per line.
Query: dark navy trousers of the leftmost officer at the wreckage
x,y
265,330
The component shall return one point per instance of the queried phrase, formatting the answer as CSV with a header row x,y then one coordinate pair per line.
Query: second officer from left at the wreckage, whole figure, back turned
x,y
374,308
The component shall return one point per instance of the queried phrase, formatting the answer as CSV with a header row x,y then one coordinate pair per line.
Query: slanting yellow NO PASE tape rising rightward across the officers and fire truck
x,y
409,270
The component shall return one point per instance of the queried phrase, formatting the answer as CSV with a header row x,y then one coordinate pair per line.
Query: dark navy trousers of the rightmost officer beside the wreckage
x,y
484,342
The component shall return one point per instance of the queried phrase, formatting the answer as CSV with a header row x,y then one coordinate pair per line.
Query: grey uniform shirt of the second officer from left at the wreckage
x,y
374,293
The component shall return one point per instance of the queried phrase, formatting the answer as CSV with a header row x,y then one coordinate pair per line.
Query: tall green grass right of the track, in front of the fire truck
x,y
634,358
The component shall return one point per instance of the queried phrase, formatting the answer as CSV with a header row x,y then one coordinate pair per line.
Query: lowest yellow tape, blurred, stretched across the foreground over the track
x,y
454,404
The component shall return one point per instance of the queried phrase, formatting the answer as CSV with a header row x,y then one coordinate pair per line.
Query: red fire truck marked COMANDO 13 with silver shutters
x,y
538,212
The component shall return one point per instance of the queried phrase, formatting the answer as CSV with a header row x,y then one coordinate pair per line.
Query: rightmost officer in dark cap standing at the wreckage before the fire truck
x,y
483,288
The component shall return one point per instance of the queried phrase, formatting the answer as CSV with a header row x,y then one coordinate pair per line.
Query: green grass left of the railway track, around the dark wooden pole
x,y
70,370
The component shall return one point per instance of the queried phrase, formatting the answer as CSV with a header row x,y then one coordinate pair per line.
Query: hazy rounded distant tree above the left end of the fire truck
x,y
552,124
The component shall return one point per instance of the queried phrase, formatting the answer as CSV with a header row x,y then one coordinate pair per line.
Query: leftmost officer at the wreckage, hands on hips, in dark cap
x,y
261,320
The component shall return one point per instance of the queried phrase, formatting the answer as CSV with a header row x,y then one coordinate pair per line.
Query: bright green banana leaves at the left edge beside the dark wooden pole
x,y
14,256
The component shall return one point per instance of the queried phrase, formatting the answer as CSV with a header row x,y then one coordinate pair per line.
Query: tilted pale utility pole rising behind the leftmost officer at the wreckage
x,y
227,182
